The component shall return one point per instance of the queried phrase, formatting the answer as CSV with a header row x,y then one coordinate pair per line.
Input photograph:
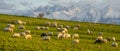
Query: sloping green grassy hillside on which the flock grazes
x,y
8,43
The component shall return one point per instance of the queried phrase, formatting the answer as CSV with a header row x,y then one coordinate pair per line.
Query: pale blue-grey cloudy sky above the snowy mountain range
x,y
17,6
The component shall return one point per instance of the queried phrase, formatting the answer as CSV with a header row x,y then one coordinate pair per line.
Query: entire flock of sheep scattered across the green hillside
x,y
62,33
